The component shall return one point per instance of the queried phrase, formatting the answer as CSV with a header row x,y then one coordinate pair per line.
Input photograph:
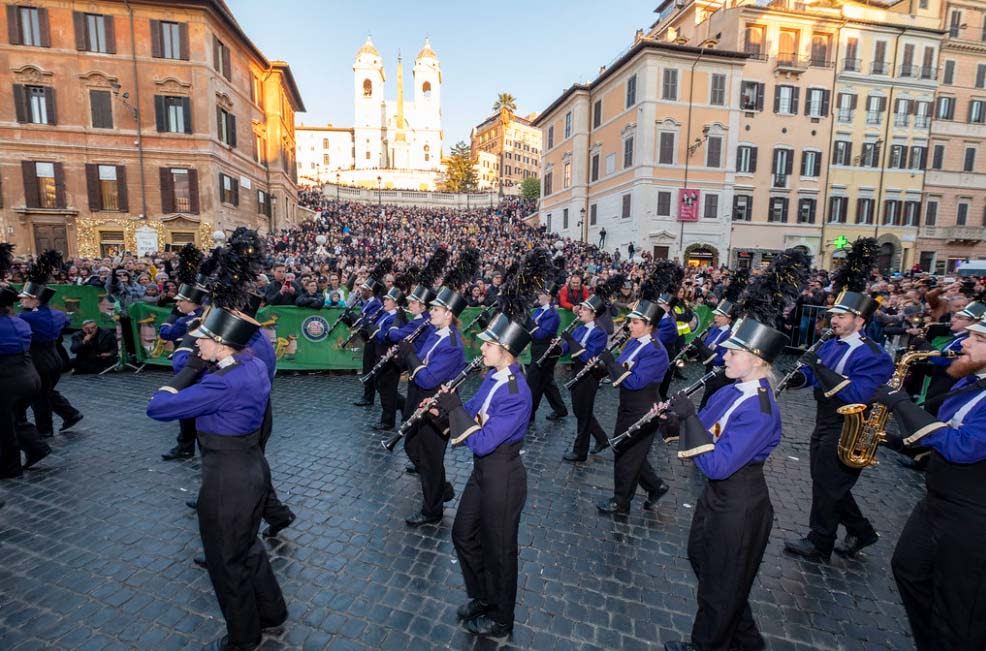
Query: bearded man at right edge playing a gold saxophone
x,y
939,563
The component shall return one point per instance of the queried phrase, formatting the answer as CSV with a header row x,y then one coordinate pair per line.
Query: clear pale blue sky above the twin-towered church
x,y
533,50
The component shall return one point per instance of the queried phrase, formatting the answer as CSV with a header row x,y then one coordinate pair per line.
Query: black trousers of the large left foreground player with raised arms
x,y
231,500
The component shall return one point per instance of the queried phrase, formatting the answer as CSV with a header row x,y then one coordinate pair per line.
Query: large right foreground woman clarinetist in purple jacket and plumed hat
x,y
729,440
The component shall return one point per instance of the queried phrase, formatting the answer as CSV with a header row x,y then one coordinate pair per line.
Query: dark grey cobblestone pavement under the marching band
x,y
97,544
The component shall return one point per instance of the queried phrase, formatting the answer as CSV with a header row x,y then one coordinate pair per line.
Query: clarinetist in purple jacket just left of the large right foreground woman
x,y
638,373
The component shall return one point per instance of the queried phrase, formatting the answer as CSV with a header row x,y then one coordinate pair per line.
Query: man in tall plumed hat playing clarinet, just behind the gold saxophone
x,y
846,370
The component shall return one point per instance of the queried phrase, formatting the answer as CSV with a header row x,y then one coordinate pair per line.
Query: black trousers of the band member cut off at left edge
x,y
19,382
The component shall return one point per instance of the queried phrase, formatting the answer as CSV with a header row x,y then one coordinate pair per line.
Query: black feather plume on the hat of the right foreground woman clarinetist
x,y
771,292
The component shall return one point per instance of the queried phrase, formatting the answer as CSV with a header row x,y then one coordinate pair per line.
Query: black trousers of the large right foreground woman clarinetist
x,y
729,534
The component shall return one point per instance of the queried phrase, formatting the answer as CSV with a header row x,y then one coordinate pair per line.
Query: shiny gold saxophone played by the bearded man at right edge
x,y
859,439
